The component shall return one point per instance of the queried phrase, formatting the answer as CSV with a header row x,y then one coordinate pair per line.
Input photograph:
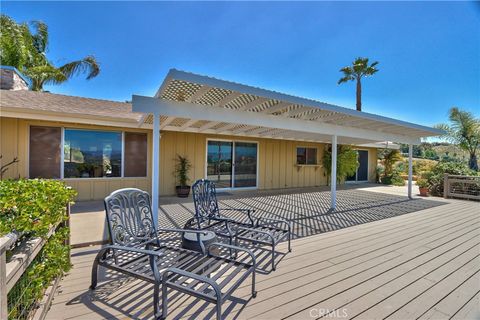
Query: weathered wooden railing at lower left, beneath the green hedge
x,y
12,273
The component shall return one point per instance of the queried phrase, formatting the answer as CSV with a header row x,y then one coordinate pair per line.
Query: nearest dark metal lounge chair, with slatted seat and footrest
x,y
137,250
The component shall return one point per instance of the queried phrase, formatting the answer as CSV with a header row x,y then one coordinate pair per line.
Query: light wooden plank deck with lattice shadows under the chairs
x,y
379,256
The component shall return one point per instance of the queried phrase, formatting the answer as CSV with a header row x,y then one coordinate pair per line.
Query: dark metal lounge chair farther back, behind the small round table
x,y
208,216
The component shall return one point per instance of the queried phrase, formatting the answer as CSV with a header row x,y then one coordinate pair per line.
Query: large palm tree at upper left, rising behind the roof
x,y
24,46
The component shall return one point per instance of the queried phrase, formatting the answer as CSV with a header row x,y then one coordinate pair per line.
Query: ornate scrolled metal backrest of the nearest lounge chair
x,y
129,217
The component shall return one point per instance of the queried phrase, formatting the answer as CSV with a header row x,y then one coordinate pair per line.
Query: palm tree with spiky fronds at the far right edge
x,y
463,130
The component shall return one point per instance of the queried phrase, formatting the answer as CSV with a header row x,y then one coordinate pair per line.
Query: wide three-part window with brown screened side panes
x,y
86,153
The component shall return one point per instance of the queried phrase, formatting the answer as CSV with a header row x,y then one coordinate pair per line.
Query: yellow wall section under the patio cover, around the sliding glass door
x,y
276,168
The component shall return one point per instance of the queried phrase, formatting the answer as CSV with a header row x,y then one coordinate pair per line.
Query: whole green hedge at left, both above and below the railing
x,y
32,208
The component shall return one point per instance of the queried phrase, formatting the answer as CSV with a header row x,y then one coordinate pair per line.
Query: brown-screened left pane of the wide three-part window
x,y
44,151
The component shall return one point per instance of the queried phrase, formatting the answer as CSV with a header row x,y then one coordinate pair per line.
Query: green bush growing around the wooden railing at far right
x,y
436,176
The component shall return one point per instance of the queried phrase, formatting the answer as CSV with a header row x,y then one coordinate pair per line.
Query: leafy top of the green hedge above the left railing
x,y
32,207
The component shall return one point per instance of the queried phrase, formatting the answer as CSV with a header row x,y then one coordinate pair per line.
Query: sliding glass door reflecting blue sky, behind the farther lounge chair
x,y
232,164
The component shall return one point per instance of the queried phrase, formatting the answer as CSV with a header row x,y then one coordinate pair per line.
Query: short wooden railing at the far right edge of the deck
x,y
465,187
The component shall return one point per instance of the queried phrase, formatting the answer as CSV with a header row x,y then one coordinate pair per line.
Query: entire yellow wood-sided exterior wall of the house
x,y
276,159
